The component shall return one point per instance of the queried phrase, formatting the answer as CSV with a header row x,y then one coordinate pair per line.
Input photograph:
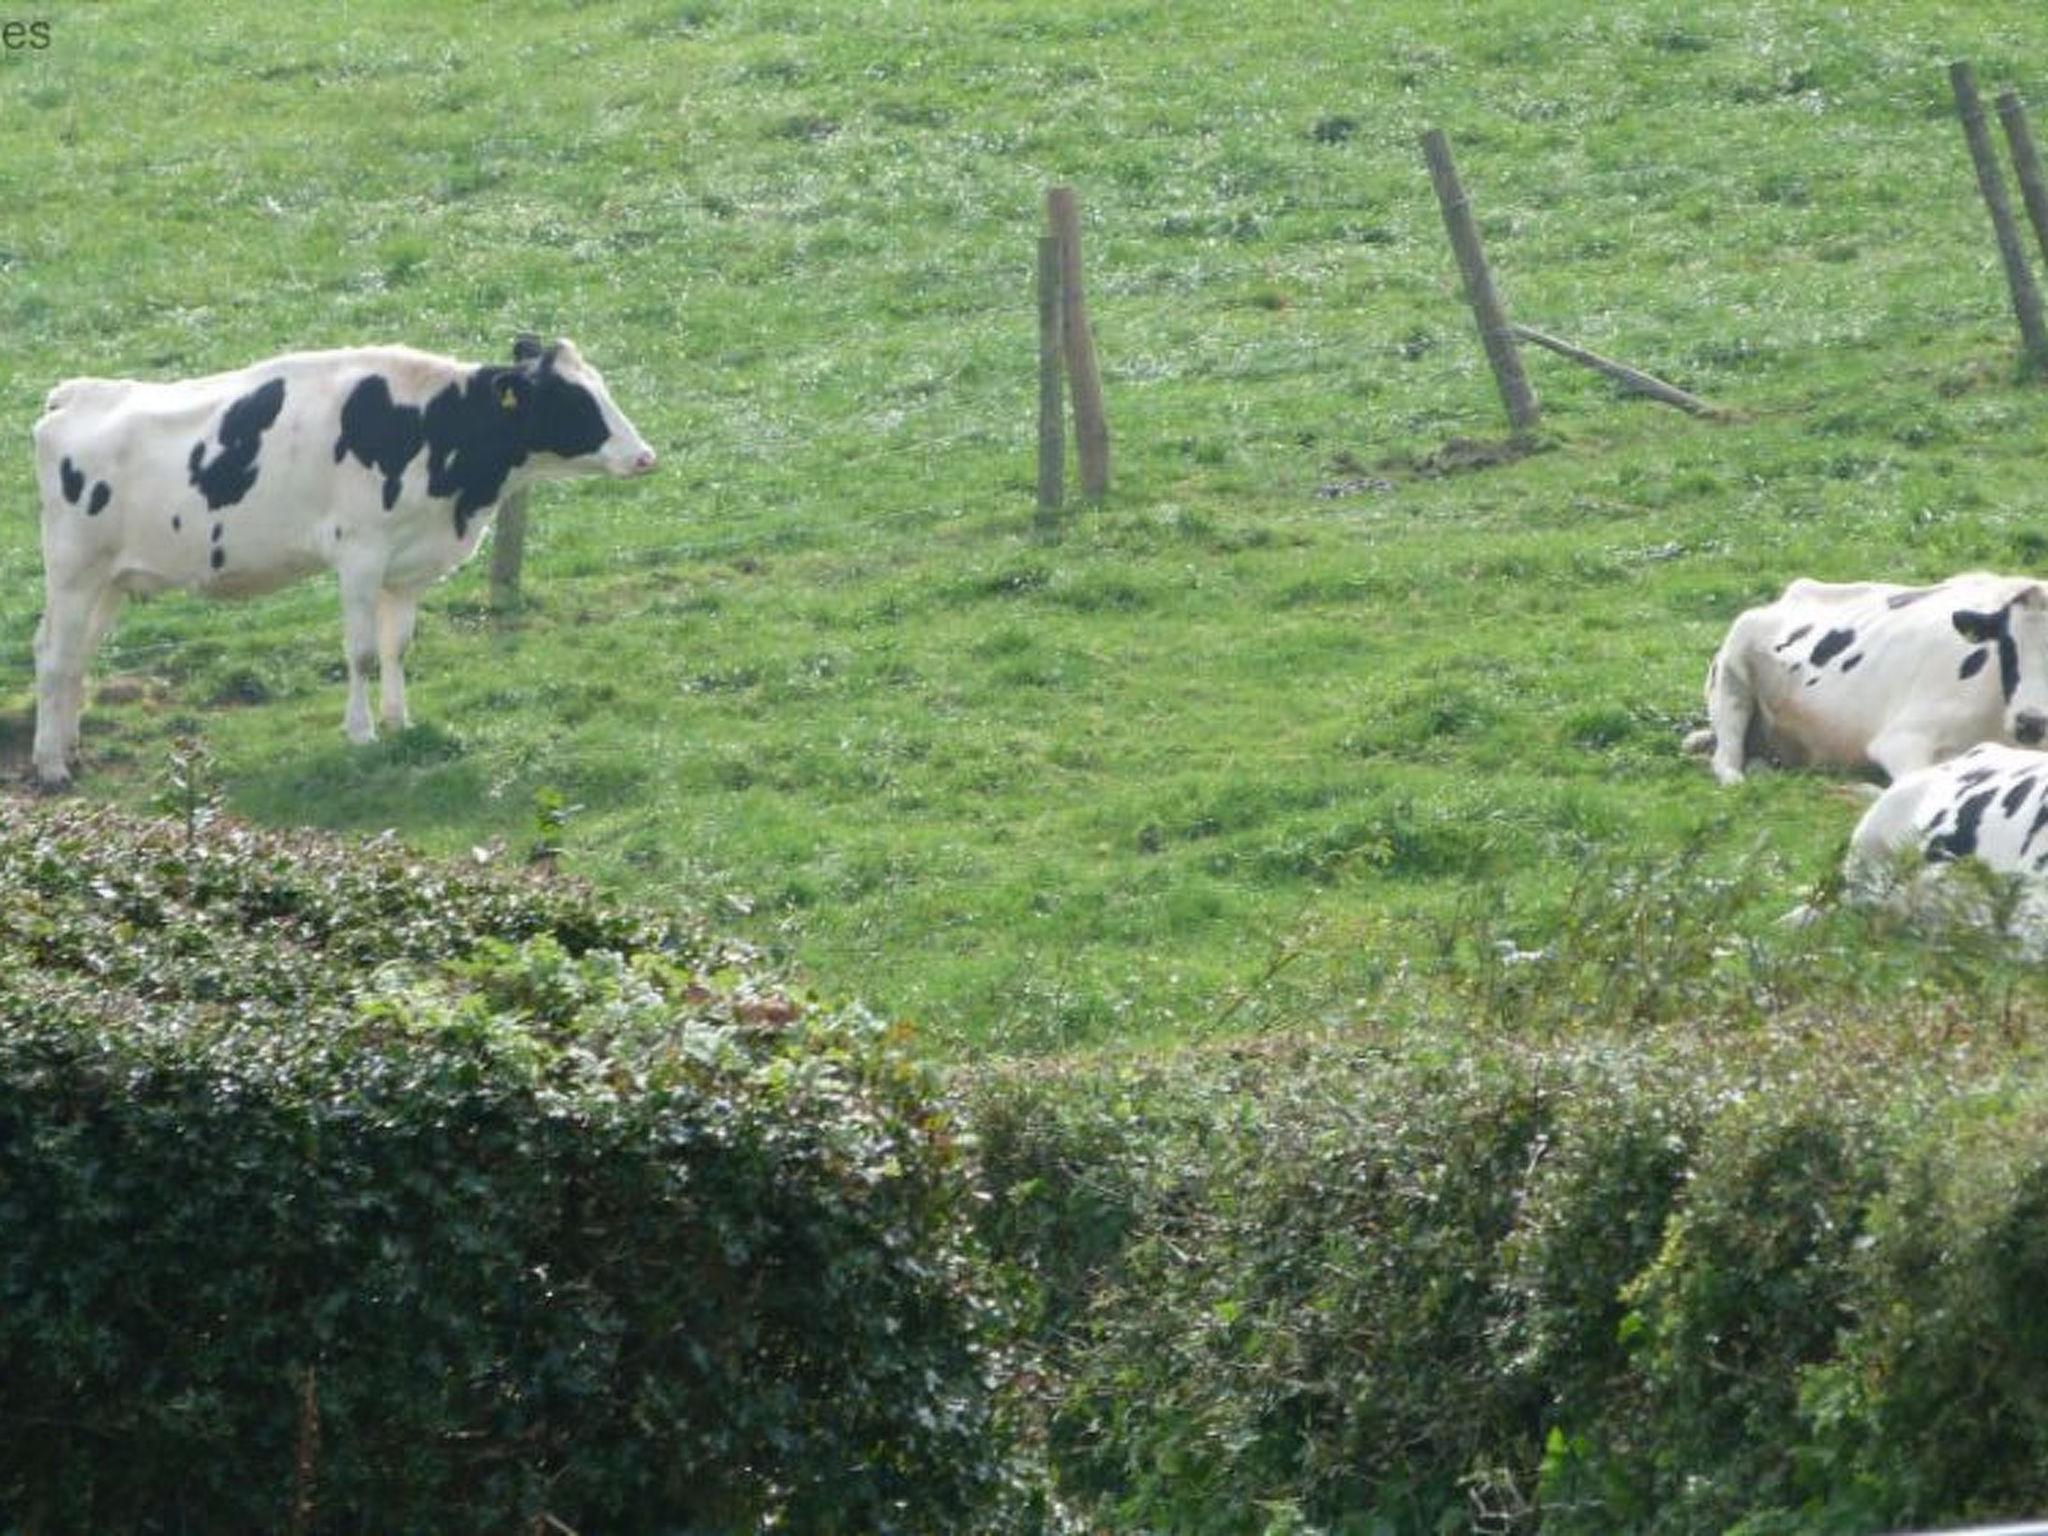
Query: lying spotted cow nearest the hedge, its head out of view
x,y
1988,808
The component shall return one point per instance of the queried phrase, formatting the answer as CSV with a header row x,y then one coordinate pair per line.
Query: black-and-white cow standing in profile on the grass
x,y
380,464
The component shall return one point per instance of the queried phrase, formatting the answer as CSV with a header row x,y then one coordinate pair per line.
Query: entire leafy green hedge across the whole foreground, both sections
x,y
345,1193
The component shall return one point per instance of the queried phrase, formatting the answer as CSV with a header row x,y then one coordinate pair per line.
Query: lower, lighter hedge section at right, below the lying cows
x,y
1775,1279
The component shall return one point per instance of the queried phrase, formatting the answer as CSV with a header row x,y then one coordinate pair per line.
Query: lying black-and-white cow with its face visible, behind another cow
x,y
1879,677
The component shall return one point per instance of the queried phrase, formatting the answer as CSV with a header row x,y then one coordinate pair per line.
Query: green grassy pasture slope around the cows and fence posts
x,y
1215,755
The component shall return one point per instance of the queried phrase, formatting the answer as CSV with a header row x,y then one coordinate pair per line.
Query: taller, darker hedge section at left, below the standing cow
x,y
343,1193
